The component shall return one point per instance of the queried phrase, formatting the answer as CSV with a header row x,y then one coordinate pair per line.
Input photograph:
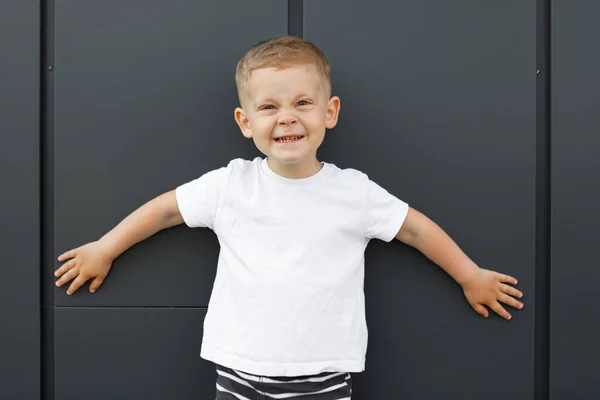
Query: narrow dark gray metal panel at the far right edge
x,y
575,329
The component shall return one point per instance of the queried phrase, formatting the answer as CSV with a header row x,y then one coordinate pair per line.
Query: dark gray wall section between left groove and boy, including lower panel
x,y
143,101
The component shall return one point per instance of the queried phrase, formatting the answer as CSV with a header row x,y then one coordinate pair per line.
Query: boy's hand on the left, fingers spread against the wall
x,y
90,261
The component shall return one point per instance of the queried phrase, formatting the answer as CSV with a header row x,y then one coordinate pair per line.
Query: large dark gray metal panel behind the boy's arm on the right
x,y
438,106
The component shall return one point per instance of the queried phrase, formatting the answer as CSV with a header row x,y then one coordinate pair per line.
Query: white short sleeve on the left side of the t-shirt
x,y
198,200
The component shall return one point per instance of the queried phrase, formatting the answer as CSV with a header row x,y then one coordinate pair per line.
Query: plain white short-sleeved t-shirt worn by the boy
x,y
288,295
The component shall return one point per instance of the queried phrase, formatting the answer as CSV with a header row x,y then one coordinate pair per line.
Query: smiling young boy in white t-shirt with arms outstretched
x,y
286,316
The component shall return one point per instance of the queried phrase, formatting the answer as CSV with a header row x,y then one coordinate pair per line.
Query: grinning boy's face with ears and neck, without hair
x,y
286,113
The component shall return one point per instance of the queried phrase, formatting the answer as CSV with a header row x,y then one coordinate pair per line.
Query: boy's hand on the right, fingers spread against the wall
x,y
489,288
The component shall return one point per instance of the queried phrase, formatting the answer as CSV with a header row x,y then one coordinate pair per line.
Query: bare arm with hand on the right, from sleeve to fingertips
x,y
480,286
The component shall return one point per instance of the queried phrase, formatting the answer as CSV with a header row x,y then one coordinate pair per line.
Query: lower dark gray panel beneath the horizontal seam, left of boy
x,y
131,353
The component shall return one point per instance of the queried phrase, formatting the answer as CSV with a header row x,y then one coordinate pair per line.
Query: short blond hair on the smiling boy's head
x,y
281,52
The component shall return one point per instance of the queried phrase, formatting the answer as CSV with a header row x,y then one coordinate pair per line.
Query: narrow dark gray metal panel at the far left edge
x,y
20,199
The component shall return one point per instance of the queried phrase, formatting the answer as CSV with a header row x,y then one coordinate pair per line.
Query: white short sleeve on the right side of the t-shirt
x,y
385,213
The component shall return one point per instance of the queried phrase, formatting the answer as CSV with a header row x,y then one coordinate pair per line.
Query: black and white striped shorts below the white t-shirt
x,y
236,385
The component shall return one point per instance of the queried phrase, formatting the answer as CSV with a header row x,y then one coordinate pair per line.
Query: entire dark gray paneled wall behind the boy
x,y
438,106
